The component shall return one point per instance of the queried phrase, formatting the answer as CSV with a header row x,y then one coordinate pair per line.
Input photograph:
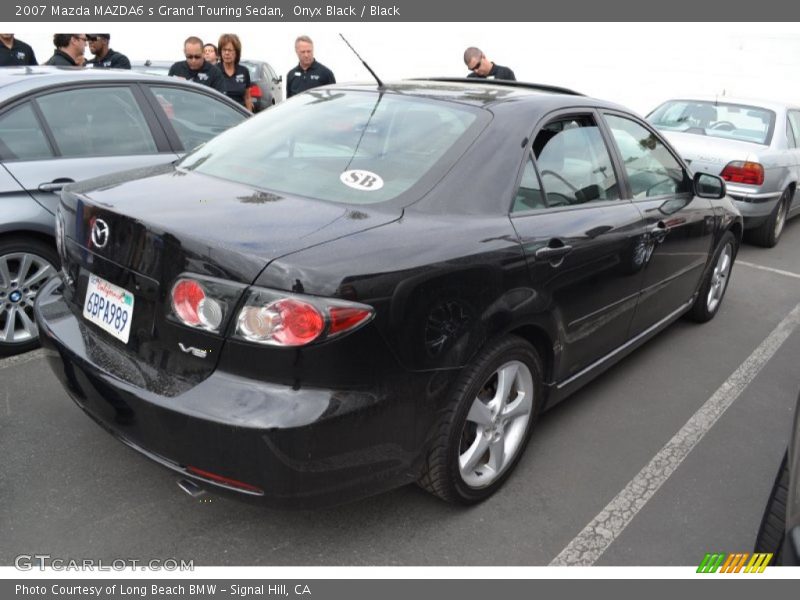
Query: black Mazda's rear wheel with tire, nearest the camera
x,y
487,423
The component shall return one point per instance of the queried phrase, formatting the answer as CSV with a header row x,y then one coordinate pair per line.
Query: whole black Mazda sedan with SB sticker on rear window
x,y
373,285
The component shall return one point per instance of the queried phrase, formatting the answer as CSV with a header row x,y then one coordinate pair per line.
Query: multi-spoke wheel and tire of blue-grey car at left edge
x,y
26,264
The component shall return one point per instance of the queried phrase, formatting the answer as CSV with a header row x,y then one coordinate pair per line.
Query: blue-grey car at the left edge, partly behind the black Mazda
x,y
58,126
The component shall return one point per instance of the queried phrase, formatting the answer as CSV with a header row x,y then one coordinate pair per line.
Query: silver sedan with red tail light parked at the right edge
x,y
753,145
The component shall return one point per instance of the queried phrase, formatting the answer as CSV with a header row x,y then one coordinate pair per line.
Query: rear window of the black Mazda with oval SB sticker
x,y
350,147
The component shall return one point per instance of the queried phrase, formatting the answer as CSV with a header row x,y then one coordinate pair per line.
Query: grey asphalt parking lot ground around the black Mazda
x,y
70,490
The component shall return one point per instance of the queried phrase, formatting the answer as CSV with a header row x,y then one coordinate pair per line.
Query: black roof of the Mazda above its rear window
x,y
481,92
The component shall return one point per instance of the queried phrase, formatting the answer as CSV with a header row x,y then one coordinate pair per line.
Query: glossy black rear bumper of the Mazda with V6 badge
x,y
289,445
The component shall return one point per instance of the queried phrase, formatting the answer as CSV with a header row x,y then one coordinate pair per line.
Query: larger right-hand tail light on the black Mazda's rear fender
x,y
289,320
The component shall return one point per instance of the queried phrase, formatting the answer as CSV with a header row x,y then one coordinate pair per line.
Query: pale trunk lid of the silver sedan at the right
x,y
708,154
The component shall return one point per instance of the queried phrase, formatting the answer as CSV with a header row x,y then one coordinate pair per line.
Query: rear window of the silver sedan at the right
x,y
716,119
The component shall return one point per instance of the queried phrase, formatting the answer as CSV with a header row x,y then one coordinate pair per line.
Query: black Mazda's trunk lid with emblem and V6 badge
x,y
169,223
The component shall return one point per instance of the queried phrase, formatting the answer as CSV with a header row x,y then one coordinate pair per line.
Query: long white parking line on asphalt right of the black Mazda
x,y
607,526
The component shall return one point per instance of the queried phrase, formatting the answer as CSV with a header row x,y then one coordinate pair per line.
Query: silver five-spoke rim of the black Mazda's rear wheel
x,y
496,424
